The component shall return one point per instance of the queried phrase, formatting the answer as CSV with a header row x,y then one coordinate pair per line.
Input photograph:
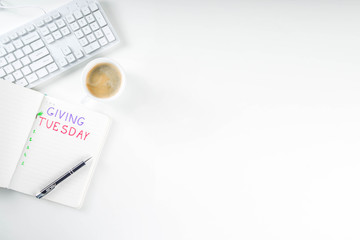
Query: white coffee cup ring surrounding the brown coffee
x,y
90,66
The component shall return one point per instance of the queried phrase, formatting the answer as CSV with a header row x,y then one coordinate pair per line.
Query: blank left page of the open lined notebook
x,y
18,107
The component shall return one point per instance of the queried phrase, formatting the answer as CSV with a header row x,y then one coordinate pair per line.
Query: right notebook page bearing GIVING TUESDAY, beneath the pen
x,y
62,136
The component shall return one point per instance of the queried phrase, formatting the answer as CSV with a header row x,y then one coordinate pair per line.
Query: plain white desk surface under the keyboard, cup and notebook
x,y
240,120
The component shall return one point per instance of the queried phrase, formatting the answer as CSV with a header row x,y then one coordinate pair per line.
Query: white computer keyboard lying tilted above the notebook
x,y
54,43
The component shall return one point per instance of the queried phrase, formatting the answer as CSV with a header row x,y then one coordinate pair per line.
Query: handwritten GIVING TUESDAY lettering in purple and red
x,y
69,124
